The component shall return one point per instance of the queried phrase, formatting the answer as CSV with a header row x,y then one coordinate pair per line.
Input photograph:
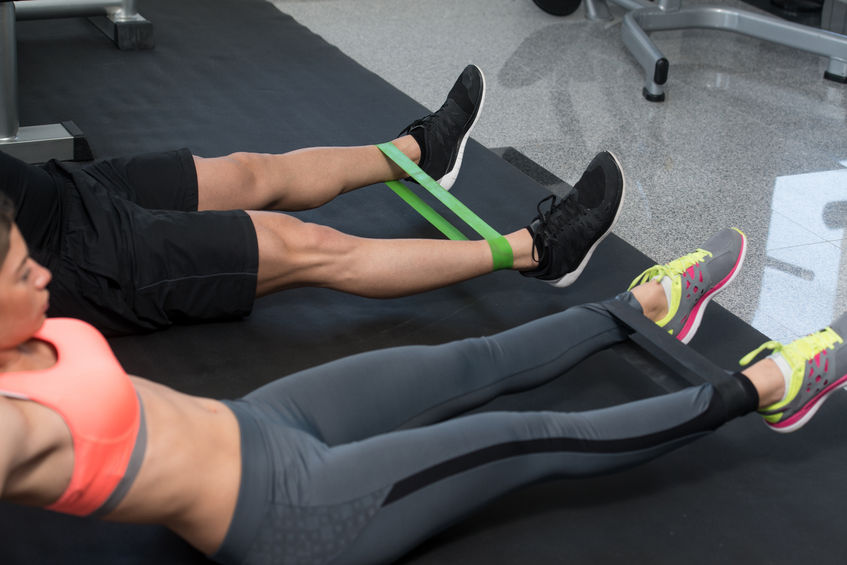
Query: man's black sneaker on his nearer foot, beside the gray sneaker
x,y
567,233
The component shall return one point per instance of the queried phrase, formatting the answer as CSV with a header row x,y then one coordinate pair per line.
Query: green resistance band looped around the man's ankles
x,y
501,251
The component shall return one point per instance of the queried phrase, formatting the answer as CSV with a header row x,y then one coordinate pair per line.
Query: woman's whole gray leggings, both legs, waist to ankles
x,y
359,460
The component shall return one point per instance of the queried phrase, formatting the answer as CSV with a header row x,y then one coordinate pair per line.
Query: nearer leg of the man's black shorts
x,y
166,267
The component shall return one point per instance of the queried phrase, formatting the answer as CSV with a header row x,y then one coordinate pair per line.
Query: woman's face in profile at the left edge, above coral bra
x,y
23,293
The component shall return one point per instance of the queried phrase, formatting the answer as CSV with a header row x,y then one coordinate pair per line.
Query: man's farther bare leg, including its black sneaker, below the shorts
x,y
307,178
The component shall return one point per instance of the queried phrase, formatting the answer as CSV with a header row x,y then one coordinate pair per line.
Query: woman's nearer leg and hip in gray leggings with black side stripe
x,y
372,500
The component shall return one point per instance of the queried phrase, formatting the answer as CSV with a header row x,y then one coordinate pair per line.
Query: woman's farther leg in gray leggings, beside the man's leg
x,y
380,391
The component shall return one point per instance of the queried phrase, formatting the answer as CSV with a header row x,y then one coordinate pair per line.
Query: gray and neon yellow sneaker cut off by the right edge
x,y
818,366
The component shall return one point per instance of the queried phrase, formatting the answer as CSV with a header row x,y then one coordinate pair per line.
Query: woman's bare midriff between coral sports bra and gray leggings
x,y
191,472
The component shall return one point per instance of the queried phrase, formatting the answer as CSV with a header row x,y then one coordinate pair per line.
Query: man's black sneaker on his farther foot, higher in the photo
x,y
443,135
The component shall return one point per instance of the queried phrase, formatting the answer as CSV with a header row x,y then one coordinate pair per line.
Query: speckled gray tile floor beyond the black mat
x,y
750,134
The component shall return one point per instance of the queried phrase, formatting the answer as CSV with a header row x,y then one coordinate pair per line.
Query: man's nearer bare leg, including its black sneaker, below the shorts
x,y
554,247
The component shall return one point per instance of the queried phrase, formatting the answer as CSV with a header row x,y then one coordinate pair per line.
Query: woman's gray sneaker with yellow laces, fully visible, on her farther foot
x,y
696,278
